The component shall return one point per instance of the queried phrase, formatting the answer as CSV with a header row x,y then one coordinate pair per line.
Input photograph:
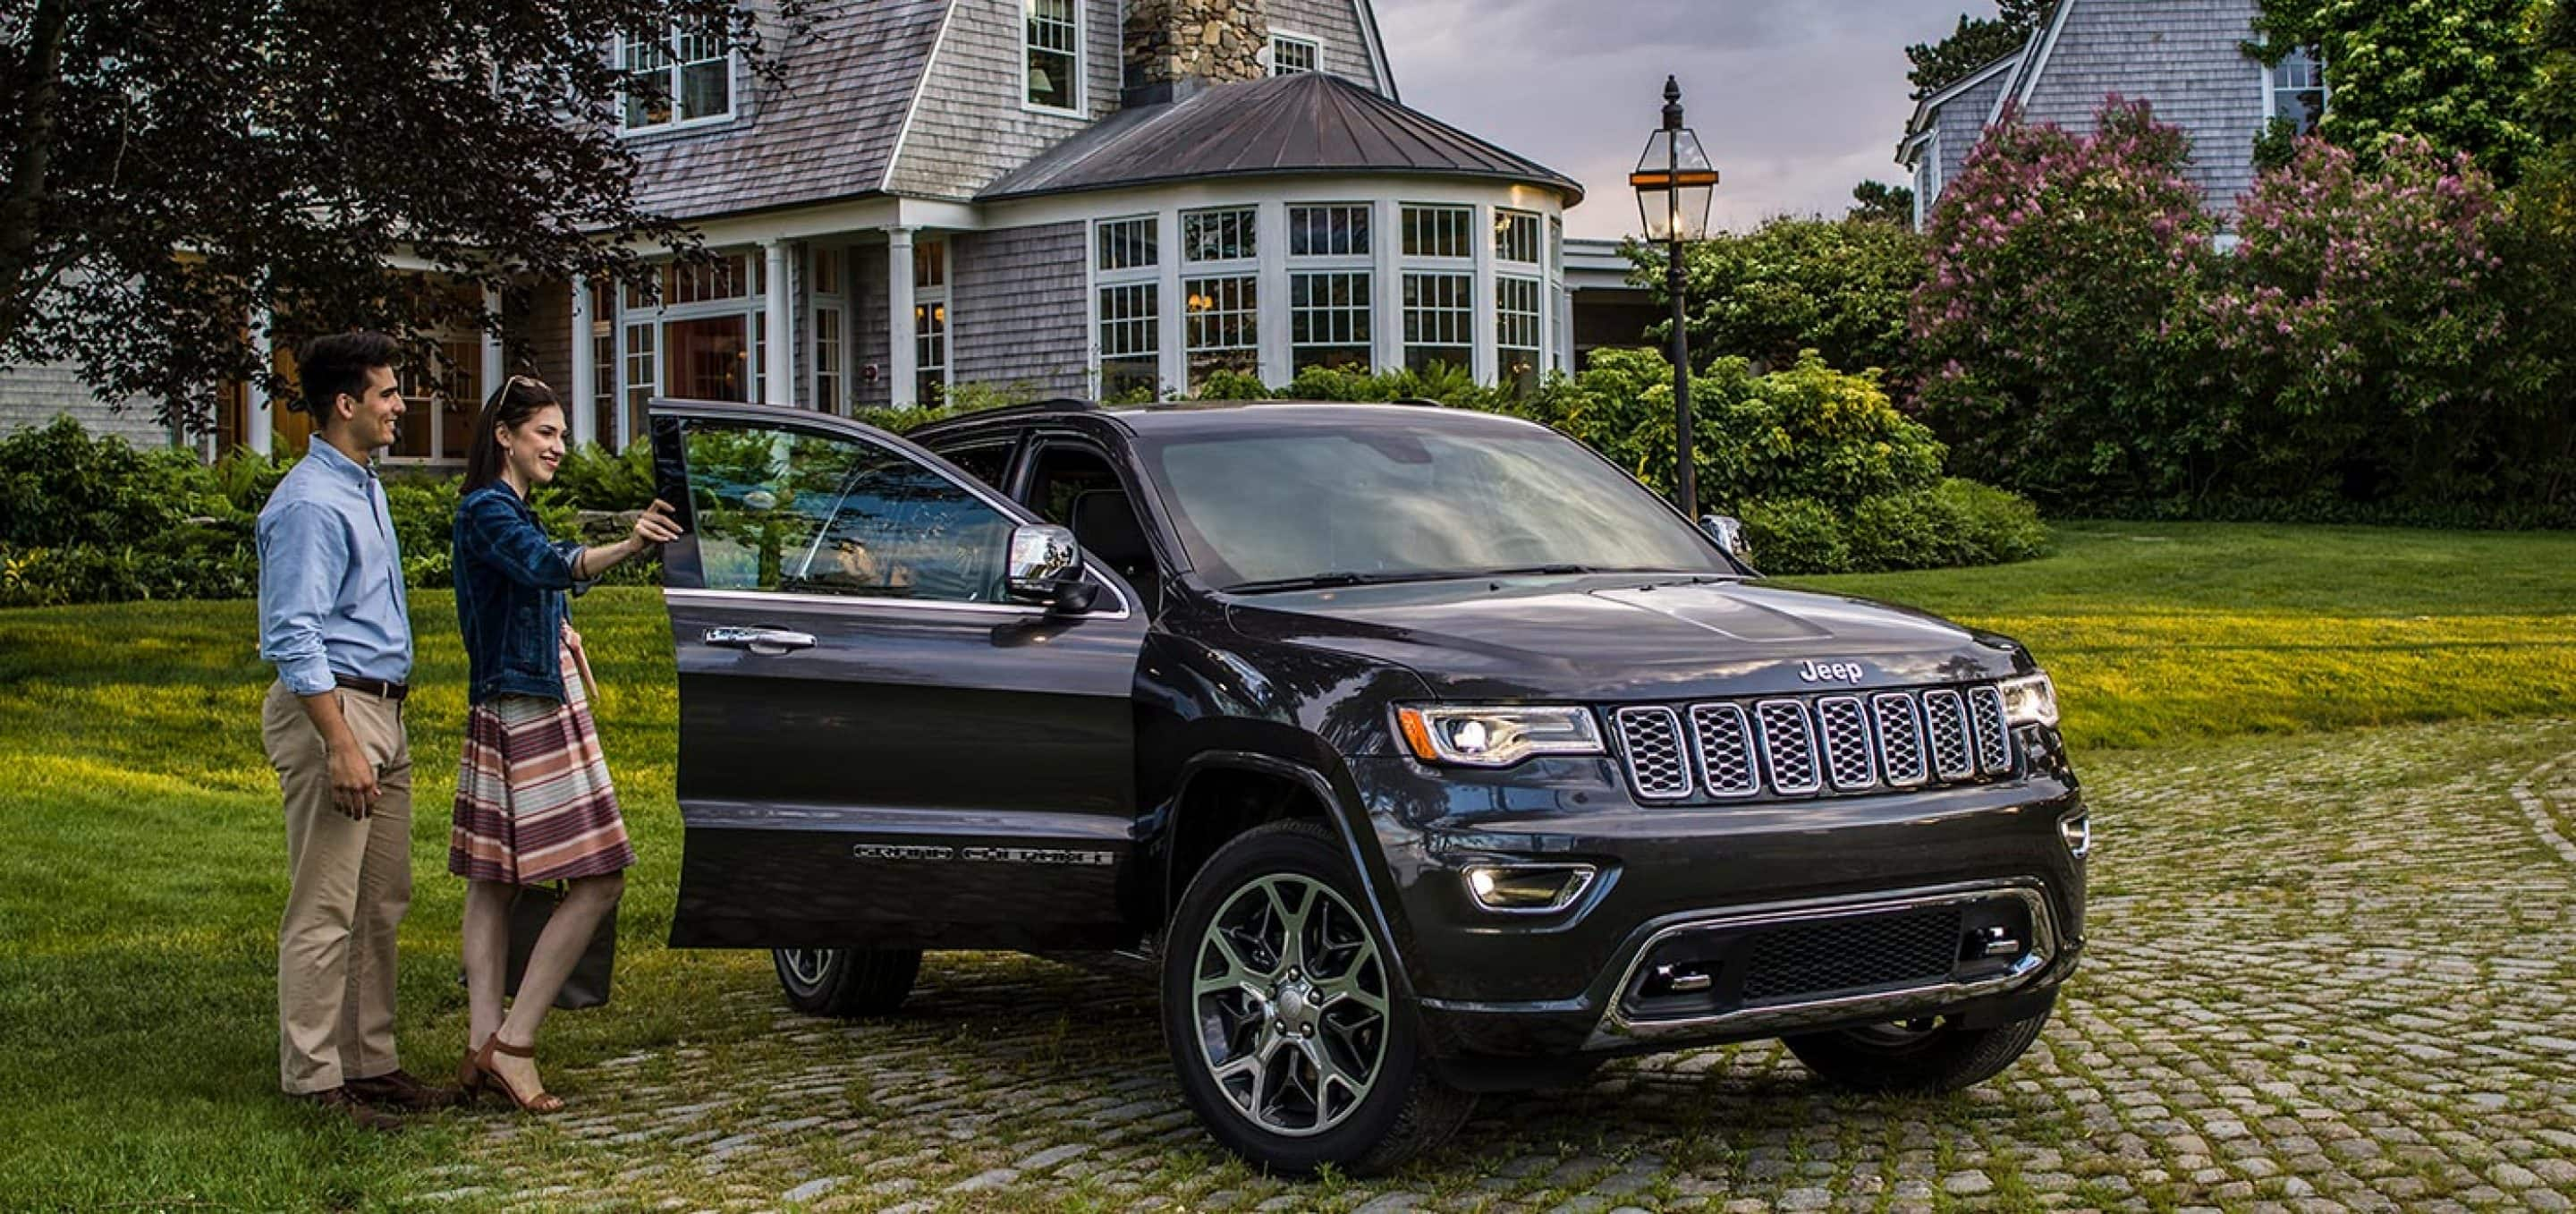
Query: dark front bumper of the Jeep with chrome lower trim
x,y
1707,885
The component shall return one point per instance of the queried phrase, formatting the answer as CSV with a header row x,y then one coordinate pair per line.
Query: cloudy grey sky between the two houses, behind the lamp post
x,y
1794,99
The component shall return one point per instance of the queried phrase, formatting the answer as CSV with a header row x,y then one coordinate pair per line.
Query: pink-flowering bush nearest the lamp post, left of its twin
x,y
2060,329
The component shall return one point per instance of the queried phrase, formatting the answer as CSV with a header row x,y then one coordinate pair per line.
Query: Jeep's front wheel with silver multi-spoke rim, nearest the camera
x,y
1261,1092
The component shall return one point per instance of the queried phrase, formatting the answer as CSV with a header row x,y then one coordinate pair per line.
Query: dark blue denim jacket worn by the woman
x,y
511,604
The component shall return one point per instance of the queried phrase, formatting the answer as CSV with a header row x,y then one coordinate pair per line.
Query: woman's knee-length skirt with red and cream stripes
x,y
532,795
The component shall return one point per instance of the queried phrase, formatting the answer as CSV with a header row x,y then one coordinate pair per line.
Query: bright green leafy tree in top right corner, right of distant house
x,y
2456,73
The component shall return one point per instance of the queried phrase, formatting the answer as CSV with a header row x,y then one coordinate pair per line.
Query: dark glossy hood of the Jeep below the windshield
x,y
1629,638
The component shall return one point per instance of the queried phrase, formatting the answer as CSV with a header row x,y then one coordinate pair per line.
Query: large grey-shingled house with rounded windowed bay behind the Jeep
x,y
1057,197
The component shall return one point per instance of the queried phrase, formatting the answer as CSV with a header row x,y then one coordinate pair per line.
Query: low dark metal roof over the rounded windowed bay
x,y
1307,122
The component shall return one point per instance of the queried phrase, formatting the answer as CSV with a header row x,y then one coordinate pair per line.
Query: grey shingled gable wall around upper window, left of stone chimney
x,y
972,122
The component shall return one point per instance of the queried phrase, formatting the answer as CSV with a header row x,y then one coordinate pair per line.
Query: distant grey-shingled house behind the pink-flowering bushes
x,y
2188,58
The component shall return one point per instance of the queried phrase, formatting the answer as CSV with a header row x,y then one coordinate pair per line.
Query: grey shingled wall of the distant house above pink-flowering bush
x,y
2181,55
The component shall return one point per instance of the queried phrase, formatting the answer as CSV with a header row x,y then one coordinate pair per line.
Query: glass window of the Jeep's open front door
x,y
833,517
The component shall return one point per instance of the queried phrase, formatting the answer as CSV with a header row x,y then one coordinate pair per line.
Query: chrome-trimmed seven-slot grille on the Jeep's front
x,y
1815,744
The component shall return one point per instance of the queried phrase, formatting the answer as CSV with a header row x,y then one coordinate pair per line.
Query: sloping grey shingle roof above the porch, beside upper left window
x,y
823,133
